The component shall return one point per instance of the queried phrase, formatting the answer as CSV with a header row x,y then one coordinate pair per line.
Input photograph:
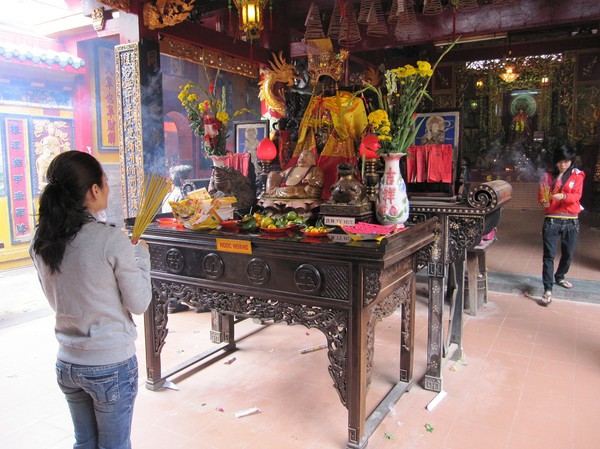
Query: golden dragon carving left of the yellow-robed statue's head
x,y
271,90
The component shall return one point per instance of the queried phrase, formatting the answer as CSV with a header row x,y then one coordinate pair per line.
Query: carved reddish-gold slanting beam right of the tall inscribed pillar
x,y
208,57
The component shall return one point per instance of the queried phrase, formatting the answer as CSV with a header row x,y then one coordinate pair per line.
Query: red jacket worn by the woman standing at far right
x,y
570,207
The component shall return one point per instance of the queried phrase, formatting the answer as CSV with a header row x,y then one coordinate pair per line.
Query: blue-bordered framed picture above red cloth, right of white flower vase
x,y
438,128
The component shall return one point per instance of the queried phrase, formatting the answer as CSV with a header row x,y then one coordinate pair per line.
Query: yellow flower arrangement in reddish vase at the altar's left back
x,y
208,116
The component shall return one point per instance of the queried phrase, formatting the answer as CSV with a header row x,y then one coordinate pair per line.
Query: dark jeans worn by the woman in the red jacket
x,y
567,231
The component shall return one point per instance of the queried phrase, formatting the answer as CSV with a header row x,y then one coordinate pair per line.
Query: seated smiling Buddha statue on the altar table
x,y
302,180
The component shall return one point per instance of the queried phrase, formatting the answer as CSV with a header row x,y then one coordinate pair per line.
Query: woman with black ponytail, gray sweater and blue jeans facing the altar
x,y
94,278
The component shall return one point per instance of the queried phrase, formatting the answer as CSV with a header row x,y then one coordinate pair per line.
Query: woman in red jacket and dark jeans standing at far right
x,y
560,193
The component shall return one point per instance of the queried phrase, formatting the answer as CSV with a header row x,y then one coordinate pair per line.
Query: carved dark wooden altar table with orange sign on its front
x,y
341,289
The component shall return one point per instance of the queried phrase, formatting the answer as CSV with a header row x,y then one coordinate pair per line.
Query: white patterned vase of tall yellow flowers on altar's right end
x,y
393,122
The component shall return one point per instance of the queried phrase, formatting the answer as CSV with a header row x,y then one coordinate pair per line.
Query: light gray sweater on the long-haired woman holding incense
x,y
103,280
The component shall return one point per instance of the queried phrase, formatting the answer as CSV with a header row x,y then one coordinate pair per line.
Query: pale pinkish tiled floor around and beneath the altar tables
x,y
529,378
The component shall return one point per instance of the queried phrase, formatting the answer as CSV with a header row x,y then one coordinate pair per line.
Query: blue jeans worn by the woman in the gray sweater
x,y
101,401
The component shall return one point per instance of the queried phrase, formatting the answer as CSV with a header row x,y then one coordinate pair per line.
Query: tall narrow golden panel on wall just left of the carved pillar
x,y
106,103
